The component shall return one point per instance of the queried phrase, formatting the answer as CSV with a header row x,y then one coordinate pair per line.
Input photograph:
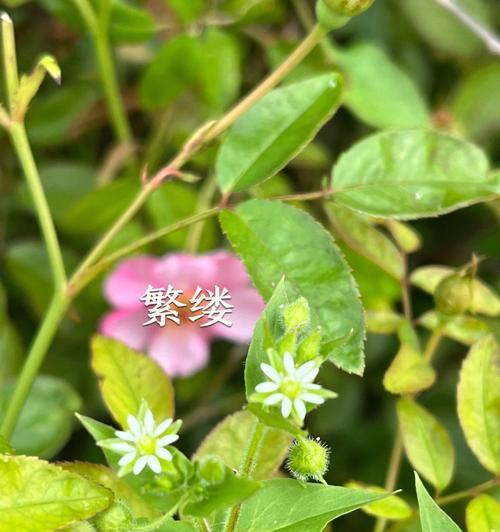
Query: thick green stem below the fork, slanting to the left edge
x,y
33,362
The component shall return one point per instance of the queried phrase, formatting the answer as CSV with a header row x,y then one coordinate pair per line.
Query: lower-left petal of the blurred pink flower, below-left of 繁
x,y
126,326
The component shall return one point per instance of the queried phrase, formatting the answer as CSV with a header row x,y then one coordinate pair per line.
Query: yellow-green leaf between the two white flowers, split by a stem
x,y
229,438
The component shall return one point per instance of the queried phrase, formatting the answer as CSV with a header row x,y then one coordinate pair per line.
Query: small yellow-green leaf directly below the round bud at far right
x,y
463,329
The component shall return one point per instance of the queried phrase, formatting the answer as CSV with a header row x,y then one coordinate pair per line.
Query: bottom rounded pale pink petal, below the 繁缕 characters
x,y
181,351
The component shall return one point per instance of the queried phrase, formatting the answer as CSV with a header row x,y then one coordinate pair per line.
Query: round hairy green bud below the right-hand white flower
x,y
308,459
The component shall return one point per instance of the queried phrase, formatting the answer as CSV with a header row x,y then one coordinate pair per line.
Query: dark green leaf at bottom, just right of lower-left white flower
x,y
232,490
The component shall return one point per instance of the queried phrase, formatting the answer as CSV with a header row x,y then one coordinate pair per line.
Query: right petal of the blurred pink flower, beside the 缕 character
x,y
248,306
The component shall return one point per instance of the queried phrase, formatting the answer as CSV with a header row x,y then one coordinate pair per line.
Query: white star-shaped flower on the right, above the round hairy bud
x,y
293,387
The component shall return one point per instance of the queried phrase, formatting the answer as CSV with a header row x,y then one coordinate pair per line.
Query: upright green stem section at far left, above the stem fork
x,y
25,156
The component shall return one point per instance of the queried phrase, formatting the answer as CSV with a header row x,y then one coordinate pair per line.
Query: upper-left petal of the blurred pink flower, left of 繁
x,y
129,281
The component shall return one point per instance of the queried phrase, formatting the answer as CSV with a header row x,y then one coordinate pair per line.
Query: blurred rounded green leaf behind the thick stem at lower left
x,y
46,421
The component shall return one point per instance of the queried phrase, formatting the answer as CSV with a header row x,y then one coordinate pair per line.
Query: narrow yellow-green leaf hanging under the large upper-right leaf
x,y
357,231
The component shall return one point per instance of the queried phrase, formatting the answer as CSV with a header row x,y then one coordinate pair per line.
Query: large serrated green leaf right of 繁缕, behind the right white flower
x,y
276,241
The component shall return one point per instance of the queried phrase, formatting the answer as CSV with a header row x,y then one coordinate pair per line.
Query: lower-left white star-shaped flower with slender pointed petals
x,y
144,443
